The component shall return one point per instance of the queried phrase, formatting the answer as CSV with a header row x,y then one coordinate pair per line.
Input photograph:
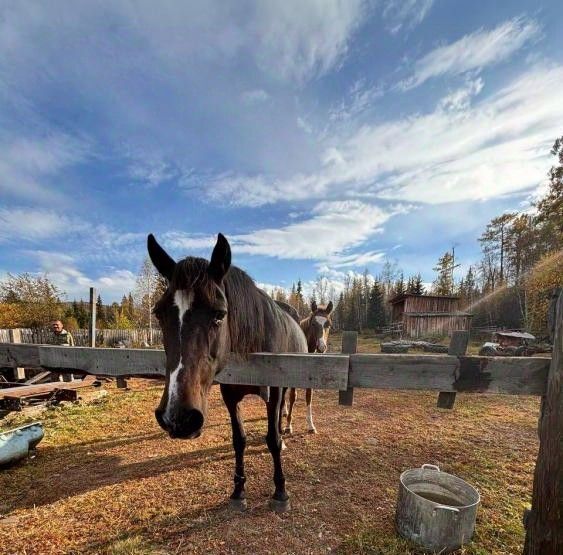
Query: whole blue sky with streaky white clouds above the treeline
x,y
318,136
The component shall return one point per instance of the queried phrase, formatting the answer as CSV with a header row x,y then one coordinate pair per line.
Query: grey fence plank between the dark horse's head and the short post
x,y
288,370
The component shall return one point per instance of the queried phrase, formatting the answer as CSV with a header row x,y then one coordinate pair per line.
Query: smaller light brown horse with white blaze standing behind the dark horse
x,y
316,328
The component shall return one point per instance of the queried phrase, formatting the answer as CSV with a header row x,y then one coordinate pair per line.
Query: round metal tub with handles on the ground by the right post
x,y
436,510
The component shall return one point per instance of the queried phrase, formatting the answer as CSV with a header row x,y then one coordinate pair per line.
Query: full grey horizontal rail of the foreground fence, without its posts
x,y
508,375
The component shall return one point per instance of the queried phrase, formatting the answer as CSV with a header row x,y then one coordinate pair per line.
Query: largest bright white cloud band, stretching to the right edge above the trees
x,y
495,148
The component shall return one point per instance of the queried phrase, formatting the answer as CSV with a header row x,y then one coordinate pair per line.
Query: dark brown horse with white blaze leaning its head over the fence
x,y
209,310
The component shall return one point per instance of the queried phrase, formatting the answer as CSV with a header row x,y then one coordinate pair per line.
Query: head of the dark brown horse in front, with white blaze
x,y
193,317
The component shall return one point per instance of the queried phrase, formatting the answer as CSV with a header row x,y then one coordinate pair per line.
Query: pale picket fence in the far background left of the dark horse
x,y
108,338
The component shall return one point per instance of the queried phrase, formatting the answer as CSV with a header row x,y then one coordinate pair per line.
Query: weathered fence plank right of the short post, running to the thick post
x,y
509,375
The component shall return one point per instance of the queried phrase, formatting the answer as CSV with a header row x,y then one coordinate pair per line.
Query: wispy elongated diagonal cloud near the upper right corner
x,y
474,52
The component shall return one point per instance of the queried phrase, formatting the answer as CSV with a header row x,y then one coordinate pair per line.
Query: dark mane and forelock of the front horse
x,y
252,314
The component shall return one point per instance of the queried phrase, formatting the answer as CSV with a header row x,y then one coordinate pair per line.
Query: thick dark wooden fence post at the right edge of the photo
x,y
544,523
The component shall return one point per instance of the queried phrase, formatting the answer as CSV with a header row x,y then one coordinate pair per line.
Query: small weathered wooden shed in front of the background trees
x,y
428,315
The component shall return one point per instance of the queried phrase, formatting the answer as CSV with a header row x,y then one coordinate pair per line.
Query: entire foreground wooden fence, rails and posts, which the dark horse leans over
x,y
445,373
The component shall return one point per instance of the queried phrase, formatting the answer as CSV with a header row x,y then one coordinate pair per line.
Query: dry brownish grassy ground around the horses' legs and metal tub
x,y
106,479
